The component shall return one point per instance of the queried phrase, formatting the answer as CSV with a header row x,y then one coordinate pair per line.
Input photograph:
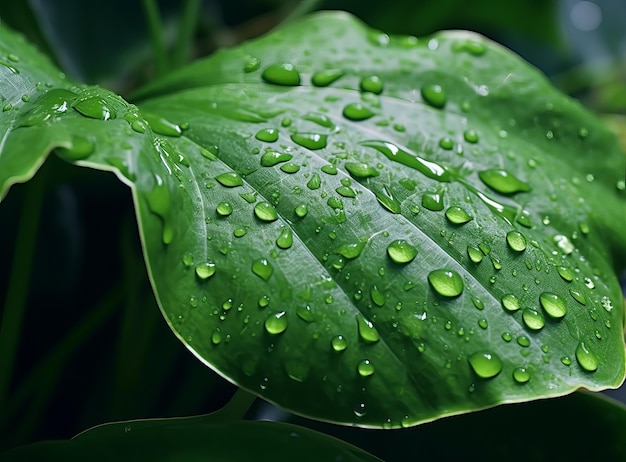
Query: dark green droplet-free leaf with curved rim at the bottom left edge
x,y
191,439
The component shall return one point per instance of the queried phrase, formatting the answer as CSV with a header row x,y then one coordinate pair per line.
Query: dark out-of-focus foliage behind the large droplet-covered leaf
x,y
93,346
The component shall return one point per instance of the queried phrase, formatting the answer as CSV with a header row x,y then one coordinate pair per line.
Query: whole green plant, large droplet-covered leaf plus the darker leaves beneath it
x,y
365,229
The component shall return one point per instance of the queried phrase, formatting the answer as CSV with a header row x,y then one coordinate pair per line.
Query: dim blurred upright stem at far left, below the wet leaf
x,y
19,282
